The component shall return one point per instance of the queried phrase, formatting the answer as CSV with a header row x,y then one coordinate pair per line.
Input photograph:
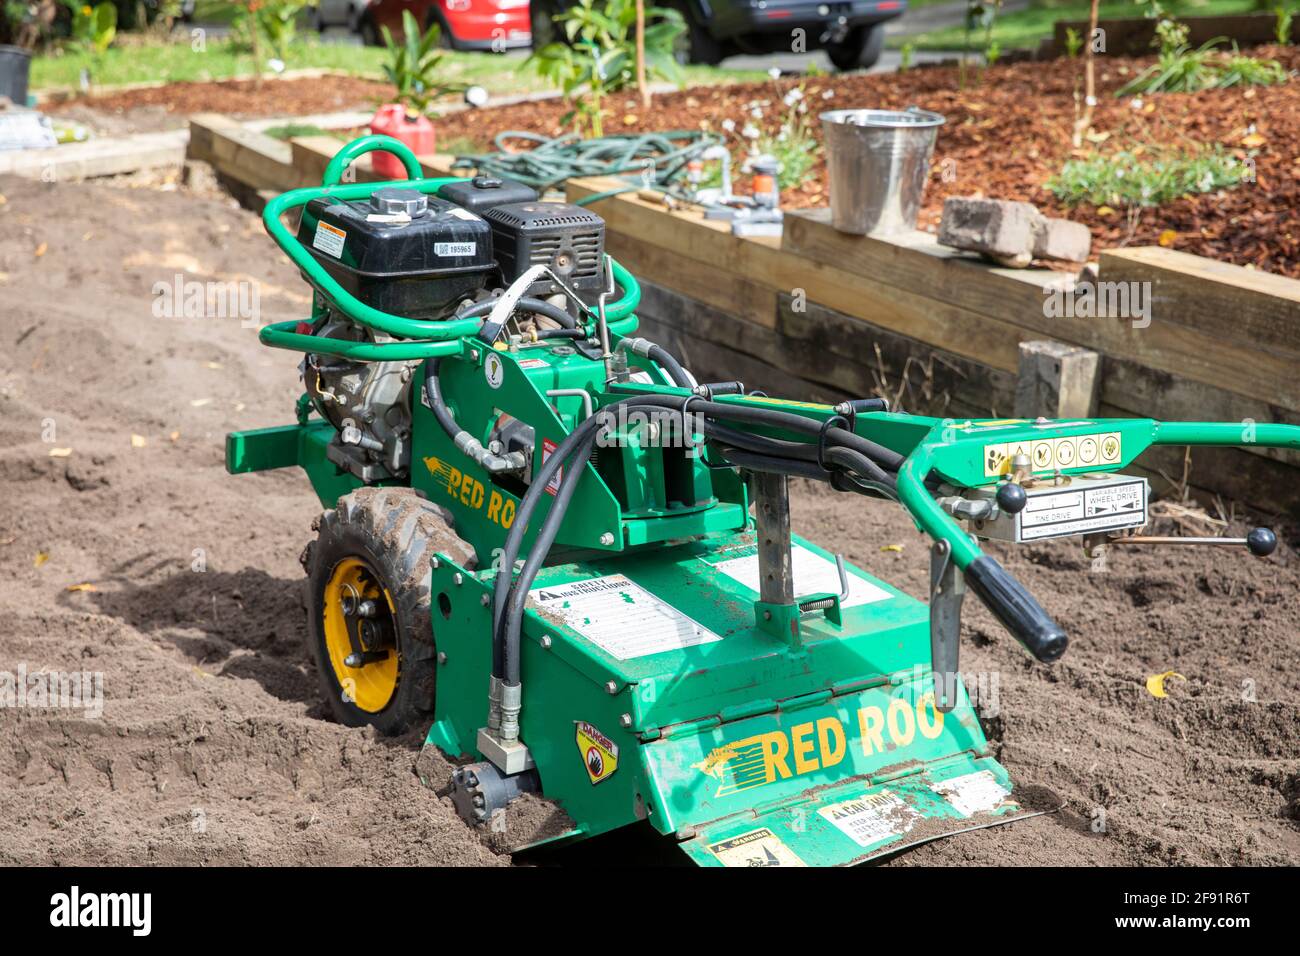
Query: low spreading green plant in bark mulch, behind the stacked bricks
x,y
1145,179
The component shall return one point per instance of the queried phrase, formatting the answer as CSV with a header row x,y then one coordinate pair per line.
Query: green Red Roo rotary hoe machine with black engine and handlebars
x,y
551,544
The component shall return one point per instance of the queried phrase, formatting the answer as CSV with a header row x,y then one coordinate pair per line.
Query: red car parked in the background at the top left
x,y
493,25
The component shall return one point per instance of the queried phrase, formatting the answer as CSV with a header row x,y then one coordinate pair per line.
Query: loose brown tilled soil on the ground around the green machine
x,y
214,746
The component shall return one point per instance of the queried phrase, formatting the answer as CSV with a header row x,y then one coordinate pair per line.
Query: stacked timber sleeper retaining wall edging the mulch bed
x,y
822,315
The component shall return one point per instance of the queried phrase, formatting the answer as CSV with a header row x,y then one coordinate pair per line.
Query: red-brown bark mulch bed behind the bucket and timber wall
x,y
1009,131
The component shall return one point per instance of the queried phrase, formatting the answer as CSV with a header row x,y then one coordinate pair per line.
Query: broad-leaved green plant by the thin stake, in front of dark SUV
x,y
601,57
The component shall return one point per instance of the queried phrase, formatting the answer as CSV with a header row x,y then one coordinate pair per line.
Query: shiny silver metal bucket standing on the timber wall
x,y
878,161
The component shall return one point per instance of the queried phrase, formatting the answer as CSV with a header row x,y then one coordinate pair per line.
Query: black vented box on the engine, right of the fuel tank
x,y
567,239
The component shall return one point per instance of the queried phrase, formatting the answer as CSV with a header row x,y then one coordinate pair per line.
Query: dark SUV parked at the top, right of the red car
x,y
852,32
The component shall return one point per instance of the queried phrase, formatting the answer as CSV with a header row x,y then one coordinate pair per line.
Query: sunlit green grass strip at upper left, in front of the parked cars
x,y
176,62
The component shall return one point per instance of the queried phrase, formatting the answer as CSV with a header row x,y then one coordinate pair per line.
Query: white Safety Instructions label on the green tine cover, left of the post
x,y
621,617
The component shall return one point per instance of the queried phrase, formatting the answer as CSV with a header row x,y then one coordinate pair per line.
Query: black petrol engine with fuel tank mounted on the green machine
x,y
431,258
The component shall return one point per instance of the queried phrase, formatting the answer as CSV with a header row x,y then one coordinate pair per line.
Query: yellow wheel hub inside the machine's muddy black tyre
x,y
352,583
